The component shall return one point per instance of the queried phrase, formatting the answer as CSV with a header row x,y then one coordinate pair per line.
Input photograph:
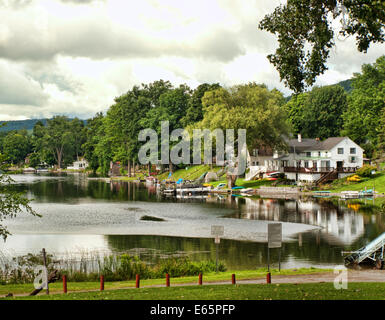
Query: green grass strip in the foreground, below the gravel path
x,y
309,291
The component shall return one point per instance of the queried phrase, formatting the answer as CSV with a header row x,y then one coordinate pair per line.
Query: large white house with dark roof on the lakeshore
x,y
309,159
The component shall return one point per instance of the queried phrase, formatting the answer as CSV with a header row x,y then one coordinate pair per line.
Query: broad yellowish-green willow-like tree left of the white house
x,y
252,107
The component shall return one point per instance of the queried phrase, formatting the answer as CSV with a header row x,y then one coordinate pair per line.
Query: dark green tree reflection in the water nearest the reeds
x,y
235,254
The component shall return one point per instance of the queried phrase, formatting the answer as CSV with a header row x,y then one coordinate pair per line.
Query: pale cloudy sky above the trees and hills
x,y
73,57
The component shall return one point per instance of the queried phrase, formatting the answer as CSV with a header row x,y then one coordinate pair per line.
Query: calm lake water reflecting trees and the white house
x,y
86,215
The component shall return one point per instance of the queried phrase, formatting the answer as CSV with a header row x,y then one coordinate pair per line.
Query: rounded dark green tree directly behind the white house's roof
x,y
318,113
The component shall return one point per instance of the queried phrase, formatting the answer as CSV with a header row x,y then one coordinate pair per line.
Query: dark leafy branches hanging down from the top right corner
x,y
305,34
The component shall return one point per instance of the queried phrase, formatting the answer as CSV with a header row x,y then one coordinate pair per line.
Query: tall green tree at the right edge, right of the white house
x,y
366,104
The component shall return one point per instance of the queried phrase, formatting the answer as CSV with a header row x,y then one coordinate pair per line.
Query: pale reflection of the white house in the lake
x,y
340,225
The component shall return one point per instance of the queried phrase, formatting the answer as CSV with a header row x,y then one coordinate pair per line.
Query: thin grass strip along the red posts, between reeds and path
x,y
210,277
